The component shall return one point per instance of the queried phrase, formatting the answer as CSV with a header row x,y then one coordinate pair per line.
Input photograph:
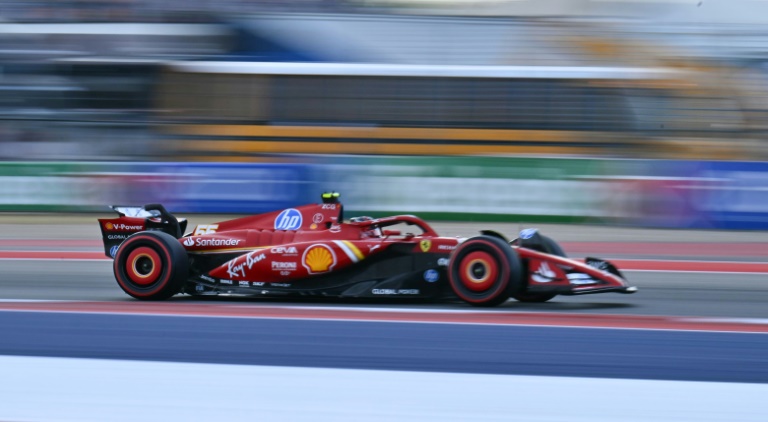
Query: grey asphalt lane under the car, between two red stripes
x,y
680,294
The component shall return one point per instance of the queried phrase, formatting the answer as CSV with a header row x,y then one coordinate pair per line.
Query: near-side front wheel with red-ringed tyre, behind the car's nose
x,y
484,271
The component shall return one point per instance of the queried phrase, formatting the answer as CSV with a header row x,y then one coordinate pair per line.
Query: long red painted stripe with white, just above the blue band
x,y
374,315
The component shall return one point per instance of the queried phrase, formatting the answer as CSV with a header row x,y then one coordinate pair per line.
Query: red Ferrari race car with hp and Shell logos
x,y
311,251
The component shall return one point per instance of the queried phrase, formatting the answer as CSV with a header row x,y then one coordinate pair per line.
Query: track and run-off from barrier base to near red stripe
x,y
708,279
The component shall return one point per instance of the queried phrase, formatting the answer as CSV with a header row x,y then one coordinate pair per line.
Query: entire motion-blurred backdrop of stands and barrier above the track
x,y
631,112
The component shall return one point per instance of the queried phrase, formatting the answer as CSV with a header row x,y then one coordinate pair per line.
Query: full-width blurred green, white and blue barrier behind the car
x,y
641,193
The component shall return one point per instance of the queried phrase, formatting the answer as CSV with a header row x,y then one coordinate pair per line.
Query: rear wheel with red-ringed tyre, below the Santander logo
x,y
151,265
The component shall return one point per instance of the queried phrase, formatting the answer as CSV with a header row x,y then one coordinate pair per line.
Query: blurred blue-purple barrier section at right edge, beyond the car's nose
x,y
693,194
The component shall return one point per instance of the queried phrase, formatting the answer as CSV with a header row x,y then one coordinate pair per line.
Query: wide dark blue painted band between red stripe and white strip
x,y
458,348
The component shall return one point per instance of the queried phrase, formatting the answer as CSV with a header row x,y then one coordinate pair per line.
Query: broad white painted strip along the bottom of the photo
x,y
85,390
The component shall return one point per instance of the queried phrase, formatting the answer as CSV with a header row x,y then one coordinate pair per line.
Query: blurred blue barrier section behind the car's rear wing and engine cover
x,y
240,188
